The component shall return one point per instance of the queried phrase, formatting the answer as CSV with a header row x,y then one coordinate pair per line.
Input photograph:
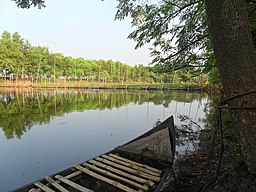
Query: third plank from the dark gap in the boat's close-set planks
x,y
130,176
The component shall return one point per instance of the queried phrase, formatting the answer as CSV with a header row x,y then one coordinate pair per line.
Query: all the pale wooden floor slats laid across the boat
x,y
112,169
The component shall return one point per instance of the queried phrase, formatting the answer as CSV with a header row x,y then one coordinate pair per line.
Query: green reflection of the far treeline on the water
x,y
20,109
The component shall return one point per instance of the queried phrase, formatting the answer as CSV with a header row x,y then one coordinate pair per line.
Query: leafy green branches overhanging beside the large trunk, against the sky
x,y
177,30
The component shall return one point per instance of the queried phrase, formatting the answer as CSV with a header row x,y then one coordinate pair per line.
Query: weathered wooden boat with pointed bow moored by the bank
x,y
142,164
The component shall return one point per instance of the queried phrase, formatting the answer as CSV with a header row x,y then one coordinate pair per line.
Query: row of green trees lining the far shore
x,y
19,60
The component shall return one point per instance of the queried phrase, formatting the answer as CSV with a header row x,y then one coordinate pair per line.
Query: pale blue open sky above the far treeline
x,y
83,28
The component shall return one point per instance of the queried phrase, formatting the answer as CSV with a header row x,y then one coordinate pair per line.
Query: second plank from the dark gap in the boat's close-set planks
x,y
107,173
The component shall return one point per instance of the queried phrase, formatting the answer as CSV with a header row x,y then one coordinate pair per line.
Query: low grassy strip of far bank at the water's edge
x,y
96,85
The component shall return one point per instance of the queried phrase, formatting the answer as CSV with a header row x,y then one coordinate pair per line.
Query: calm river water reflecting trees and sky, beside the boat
x,y
42,132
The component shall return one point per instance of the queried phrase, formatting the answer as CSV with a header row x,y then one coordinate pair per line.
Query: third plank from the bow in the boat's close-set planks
x,y
130,170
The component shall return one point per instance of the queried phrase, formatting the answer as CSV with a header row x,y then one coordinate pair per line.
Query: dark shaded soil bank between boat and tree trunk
x,y
202,170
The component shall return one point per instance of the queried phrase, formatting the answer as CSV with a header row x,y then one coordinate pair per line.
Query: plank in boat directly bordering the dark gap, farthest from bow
x,y
109,181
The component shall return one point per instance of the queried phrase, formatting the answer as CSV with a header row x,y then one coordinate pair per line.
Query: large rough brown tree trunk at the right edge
x,y
236,59
